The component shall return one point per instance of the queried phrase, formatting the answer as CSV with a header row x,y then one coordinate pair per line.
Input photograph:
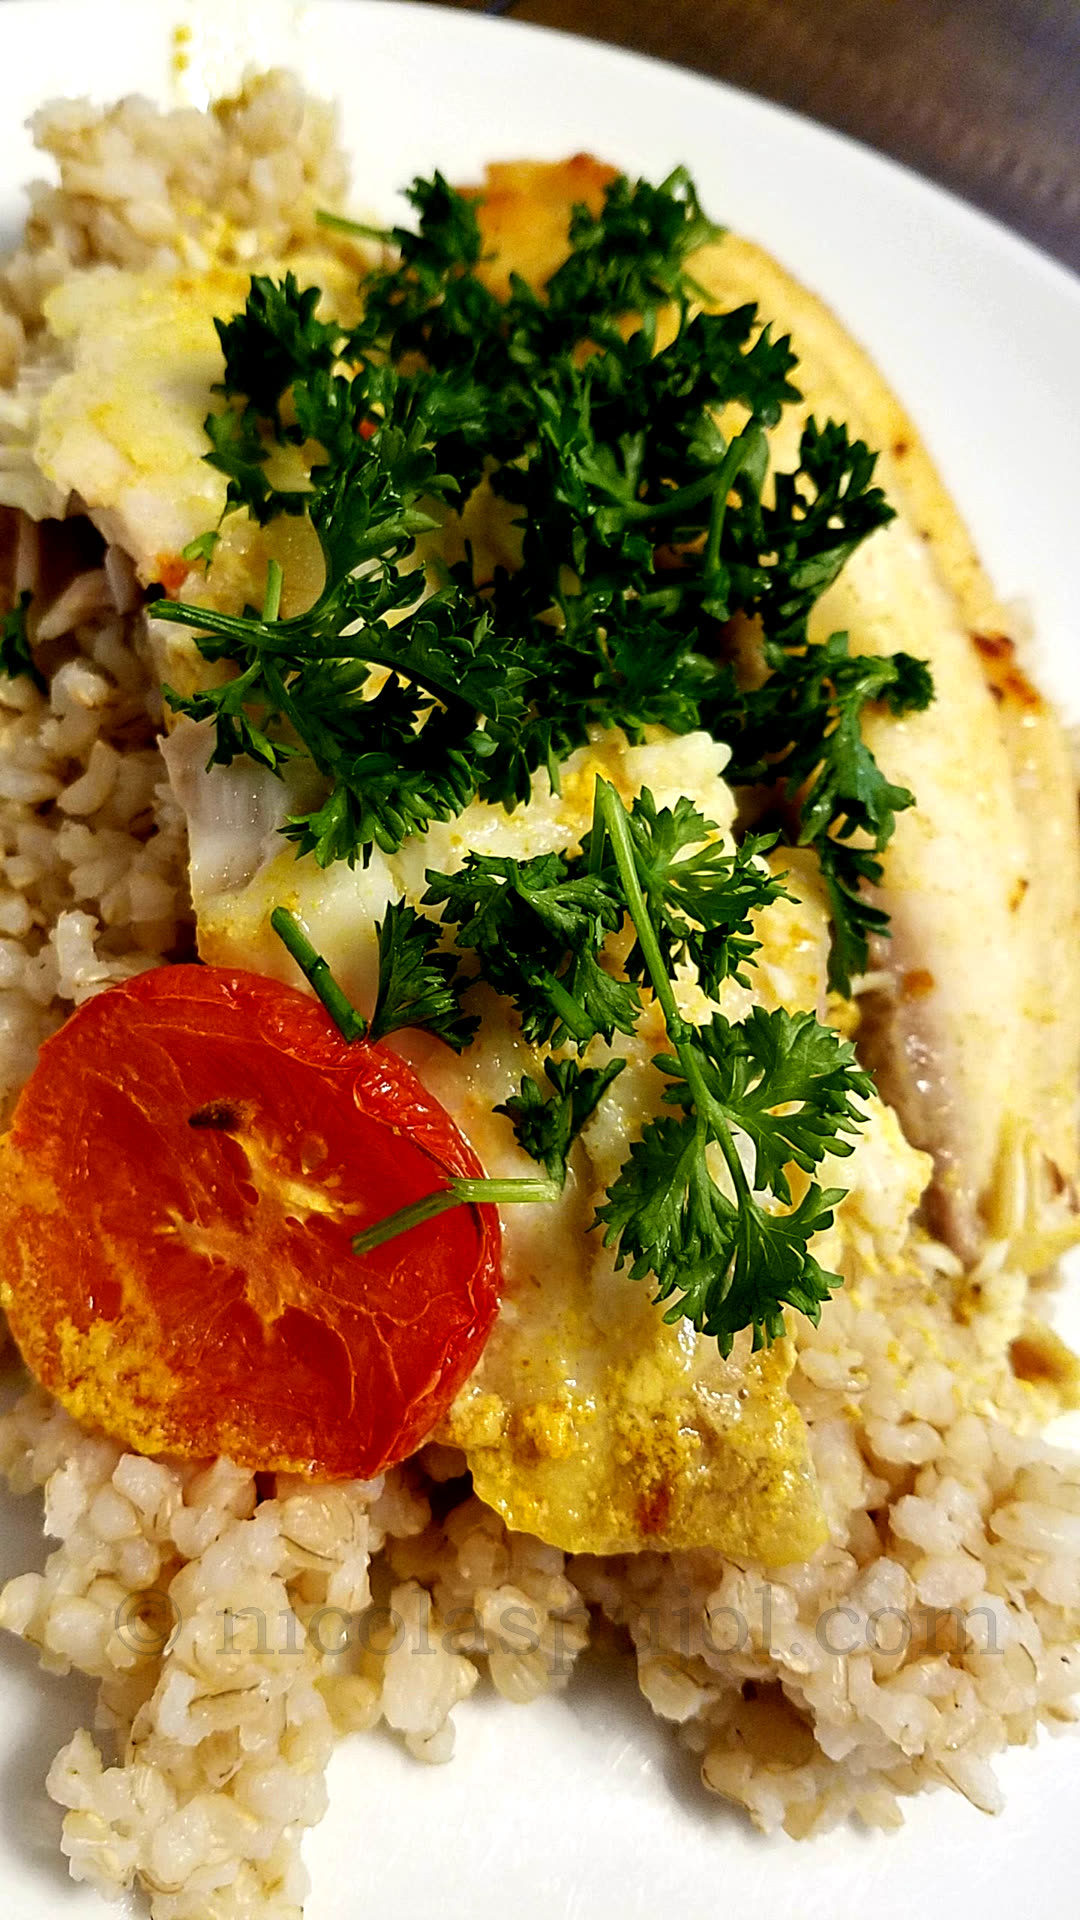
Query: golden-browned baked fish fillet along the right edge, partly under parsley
x,y
973,1028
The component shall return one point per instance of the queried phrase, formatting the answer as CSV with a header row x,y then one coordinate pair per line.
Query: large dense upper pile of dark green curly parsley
x,y
643,525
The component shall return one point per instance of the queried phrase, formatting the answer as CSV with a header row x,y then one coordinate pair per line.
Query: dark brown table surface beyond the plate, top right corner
x,y
981,95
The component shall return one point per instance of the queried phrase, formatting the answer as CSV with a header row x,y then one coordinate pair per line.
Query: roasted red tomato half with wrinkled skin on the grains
x,y
180,1191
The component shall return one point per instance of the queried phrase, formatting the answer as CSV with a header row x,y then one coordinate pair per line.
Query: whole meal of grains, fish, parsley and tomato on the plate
x,y
539,1009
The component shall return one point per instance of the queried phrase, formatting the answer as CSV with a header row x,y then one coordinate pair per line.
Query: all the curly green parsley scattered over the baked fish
x,y
414,688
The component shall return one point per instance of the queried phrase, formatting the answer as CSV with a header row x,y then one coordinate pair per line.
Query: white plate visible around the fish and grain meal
x,y
583,1810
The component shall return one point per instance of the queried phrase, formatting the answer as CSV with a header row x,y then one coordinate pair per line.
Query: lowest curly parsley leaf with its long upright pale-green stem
x,y
700,1230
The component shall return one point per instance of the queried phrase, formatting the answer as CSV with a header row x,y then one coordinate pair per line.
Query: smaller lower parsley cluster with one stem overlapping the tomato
x,y
704,1203
